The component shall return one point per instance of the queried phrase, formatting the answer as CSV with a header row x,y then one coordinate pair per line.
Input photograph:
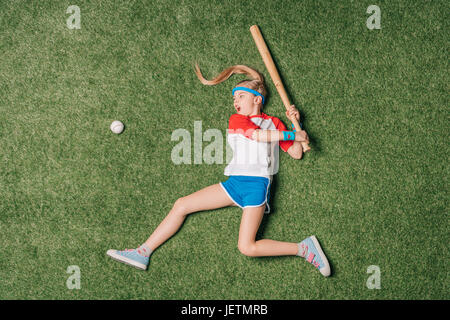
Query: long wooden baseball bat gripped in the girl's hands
x,y
270,65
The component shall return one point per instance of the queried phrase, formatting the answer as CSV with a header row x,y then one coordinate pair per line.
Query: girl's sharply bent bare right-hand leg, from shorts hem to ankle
x,y
251,219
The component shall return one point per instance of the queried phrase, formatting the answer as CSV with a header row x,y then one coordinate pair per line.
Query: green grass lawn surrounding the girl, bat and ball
x,y
374,190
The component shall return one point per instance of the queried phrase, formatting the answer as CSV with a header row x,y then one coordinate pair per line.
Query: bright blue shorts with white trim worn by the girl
x,y
248,191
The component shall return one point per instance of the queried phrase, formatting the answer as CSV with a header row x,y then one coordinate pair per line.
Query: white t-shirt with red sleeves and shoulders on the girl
x,y
250,157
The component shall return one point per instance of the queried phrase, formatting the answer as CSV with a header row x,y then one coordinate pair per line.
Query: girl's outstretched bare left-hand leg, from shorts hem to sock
x,y
208,198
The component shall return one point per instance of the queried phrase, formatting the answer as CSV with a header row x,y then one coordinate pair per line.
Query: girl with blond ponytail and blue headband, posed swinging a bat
x,y
250,175
